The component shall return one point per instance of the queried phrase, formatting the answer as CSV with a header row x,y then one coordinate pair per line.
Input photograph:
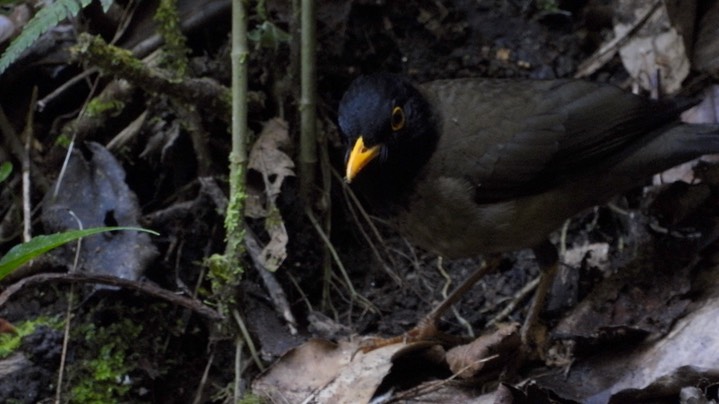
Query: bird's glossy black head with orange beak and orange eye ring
x,y
387,123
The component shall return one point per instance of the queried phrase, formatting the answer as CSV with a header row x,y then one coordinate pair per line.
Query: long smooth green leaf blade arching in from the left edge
x,y
24,252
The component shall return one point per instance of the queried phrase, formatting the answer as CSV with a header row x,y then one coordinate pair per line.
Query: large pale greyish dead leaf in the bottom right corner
x,y
654,372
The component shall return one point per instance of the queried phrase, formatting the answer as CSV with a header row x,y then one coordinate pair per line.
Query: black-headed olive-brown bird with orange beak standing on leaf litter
x,y
479,166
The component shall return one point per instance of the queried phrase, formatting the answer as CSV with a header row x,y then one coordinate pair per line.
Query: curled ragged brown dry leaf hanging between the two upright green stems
x,y
274,165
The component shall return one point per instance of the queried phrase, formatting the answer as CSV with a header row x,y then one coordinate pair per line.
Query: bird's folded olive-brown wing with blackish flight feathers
x,y
517,138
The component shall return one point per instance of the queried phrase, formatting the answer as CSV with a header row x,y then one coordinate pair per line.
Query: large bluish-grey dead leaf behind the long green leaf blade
x,y
93,192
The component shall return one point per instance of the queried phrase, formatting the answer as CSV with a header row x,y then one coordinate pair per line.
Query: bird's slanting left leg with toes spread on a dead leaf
x,y
427,328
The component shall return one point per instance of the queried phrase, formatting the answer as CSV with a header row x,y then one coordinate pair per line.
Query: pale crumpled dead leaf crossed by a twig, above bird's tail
x,y
655,56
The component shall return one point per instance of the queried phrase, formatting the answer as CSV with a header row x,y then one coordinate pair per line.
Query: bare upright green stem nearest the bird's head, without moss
x,y
308,103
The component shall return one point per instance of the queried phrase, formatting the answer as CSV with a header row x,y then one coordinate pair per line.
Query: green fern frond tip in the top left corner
x,y
42,22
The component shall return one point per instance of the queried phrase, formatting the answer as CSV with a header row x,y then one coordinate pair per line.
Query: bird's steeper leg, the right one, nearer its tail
x,y
533,332
